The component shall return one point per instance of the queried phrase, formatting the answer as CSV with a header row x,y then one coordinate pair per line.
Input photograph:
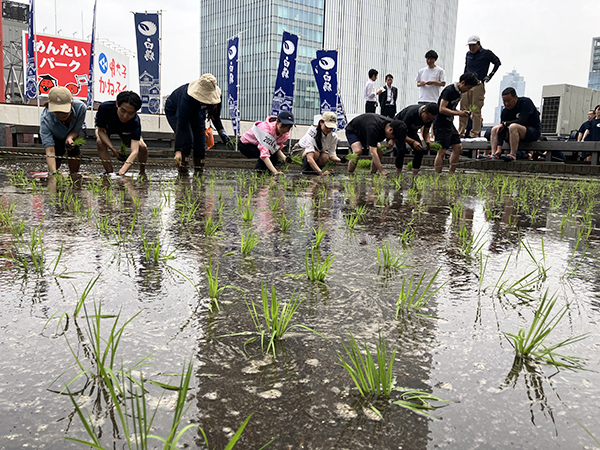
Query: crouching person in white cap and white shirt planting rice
x,y
319,145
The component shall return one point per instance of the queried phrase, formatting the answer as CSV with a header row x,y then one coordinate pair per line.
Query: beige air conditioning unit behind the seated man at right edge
x,y
565,108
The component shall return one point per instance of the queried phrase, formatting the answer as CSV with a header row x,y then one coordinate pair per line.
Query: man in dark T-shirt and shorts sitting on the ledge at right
x,y
520,121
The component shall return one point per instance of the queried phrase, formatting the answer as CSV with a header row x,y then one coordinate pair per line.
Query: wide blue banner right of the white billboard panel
x,y
147,33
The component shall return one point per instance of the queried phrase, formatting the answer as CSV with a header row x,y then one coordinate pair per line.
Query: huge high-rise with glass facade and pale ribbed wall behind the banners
x,y
391,37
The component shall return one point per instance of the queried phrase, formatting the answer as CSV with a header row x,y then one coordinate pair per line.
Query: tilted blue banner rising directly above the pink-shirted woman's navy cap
x,y
283,97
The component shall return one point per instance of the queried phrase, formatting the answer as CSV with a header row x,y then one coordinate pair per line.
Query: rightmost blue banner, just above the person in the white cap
x,y
325,72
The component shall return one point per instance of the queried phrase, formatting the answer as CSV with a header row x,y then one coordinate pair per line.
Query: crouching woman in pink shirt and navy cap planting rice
x,y
265,141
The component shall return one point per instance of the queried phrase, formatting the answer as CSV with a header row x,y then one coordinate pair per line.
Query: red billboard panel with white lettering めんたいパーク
x,y
62,62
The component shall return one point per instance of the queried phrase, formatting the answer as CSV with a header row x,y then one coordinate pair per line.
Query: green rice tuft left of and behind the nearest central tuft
x,y
276,316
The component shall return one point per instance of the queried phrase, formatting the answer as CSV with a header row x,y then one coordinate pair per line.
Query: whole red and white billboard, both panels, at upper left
x,y
66,62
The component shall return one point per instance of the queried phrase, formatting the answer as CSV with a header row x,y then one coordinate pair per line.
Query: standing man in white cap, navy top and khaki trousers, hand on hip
x,y
477,61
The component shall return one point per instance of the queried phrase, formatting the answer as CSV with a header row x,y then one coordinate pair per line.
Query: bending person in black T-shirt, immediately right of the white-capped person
x,y
368,130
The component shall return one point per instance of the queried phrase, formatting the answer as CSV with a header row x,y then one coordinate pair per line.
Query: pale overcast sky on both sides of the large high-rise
x,y
546,41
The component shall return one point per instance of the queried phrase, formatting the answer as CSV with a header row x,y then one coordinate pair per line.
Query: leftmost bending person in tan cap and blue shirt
x,y
61,123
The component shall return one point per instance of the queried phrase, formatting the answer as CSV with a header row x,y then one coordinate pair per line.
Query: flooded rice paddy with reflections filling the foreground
x,y
80,256
